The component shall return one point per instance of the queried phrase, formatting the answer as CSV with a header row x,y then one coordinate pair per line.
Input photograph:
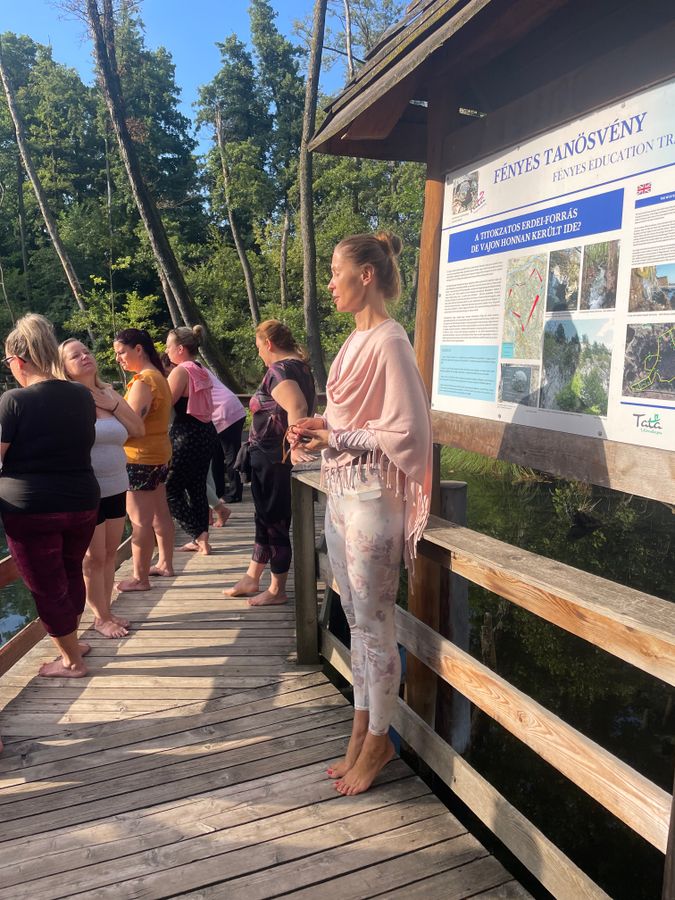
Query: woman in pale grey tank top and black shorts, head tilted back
x,y
115,423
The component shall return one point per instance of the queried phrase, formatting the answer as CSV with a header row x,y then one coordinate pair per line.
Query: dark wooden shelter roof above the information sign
x,y
484,53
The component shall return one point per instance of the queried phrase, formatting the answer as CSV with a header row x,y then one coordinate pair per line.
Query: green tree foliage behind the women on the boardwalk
x,y
259,94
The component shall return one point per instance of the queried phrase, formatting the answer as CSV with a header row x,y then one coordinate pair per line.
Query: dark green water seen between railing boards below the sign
x,y
625,539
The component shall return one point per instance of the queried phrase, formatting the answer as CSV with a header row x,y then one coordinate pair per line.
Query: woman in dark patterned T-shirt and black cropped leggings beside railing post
x,y
285,395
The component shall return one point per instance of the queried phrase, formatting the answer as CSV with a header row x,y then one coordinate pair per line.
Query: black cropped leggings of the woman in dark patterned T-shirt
x,y
271,489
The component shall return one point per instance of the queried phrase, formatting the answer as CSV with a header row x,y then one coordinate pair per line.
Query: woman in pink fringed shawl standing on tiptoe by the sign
x,y
376,443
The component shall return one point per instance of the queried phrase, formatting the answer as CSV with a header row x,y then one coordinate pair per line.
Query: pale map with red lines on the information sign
x,y
524,309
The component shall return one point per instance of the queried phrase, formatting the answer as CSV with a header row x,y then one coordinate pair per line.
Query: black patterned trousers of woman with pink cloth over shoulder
x,y
192,443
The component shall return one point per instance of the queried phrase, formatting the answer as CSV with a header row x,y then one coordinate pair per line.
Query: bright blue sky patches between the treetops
x,y
189,29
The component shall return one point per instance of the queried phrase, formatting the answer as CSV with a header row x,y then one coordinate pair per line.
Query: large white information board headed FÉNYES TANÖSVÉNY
x,y
556,298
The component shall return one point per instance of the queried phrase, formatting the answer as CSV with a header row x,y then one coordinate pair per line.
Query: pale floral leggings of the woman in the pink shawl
x,y
364,534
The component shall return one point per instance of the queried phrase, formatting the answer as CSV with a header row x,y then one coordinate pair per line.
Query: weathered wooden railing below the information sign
x,y
631,625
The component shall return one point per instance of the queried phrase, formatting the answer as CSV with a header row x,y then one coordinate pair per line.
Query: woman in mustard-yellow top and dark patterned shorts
x,y
148,457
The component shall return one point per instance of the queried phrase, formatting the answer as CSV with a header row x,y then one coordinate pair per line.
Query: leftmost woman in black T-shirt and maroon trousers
x,y
48,492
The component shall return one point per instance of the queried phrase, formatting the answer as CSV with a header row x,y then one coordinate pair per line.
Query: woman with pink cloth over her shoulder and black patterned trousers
x,y
193,438
